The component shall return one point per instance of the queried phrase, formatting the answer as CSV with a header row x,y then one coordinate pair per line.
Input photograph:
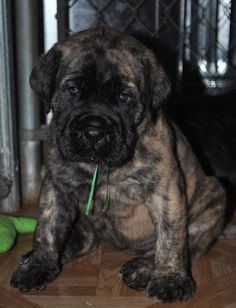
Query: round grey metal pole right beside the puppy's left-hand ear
x,y
26,21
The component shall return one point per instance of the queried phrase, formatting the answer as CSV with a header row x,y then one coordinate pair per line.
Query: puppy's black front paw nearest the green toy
x,y
33,272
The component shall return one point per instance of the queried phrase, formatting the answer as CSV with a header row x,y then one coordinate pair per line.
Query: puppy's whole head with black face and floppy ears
x,y
105,88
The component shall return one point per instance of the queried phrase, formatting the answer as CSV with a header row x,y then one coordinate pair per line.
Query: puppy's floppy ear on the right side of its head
x,y
157,84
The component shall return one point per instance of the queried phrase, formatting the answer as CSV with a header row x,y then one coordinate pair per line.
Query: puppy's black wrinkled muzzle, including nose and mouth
x,y
93,138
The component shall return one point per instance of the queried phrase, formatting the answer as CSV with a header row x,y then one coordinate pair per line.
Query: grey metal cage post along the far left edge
x,y
9,163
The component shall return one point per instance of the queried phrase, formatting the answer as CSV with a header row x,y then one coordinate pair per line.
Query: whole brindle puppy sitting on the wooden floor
x,y
106,89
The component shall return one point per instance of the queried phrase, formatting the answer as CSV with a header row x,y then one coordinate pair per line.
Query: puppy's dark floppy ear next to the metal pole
x,y
43,75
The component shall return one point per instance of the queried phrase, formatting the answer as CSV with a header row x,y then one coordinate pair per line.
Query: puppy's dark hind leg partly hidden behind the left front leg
x,y
82,240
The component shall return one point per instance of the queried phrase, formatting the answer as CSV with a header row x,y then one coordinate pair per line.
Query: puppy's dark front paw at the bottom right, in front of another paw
x,y
171,288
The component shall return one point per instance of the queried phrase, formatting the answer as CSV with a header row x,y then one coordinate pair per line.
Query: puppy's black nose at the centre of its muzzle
x,y
94,127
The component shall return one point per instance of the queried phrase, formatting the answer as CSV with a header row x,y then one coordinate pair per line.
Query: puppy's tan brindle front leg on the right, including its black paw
x,y
171,278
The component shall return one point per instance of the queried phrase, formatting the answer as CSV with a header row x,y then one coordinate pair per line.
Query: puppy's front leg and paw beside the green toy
x,y
41,265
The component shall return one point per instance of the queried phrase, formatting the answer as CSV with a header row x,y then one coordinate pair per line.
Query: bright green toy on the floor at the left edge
x,y
10,226
